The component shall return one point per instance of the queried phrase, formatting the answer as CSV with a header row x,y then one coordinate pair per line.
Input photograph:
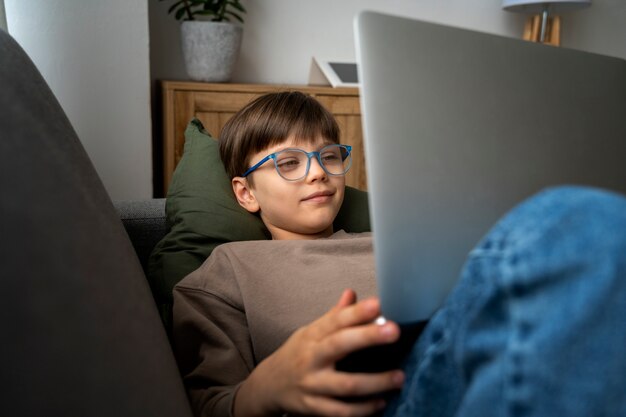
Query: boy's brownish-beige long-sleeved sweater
x,y
246,300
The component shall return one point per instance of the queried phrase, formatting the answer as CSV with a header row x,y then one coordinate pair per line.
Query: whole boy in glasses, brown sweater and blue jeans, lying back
x,y
535,326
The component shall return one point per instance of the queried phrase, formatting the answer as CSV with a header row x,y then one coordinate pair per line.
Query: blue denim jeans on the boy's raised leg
x,y
537,323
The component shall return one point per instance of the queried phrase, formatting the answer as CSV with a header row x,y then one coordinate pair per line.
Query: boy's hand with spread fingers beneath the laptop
x,y
300,377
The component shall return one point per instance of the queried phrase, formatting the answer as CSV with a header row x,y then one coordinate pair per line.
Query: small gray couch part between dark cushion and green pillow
x,y
145,223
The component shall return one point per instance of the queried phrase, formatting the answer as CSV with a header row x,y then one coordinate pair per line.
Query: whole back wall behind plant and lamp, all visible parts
x,y
281,36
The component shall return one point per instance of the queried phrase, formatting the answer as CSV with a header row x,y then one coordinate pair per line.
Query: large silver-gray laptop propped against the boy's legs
x,y
461,126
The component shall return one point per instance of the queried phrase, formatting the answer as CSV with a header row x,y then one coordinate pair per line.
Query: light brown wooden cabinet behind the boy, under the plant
x,y
214,104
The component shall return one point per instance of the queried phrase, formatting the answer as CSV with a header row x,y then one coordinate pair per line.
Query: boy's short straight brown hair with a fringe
x,y
268,121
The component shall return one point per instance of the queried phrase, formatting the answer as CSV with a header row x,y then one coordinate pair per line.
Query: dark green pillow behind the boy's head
x,y
202,213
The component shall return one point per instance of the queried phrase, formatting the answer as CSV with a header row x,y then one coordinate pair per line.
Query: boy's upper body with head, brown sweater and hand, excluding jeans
x,y
256,332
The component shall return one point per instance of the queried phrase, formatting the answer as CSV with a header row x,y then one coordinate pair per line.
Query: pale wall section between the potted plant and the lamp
x,y
280,36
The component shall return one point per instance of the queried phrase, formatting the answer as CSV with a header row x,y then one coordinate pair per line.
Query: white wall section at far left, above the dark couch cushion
x,y
94,54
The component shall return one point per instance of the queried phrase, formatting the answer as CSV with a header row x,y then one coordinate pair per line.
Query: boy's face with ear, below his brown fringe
x,y
303,209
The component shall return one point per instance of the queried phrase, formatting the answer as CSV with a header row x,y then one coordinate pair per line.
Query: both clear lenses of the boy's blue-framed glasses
x,y
293,164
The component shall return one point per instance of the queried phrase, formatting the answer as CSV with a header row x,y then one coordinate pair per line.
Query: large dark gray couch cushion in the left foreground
x,y
81,334
